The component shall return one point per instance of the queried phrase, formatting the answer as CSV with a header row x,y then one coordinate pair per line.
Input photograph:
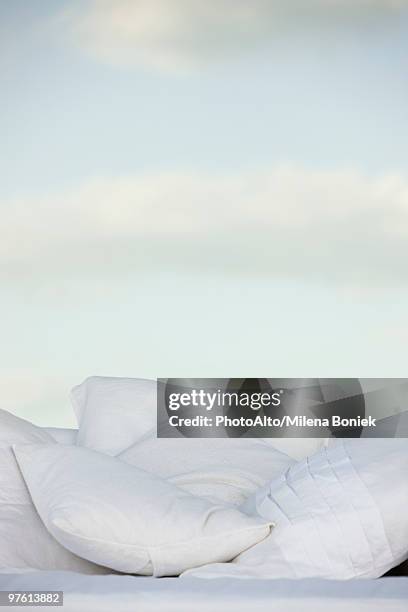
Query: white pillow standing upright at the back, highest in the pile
x,y
114,413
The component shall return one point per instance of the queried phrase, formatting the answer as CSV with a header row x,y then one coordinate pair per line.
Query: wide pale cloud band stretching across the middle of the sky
x,y
287,221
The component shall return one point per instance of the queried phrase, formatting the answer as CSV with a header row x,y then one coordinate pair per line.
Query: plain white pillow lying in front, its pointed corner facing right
x,y
116,515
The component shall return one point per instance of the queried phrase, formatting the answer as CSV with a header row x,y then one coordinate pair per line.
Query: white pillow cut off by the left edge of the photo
x,y
24,541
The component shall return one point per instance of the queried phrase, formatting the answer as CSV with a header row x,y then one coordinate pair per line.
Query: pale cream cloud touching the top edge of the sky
x,y
179,35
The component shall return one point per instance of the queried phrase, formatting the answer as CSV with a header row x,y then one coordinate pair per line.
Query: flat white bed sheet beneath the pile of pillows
x,y
119,593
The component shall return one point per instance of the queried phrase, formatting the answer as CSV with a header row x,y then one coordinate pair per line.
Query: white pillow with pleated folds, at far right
x,y
340,514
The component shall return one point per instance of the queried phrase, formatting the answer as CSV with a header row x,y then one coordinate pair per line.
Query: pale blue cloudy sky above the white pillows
x,y
200,189
